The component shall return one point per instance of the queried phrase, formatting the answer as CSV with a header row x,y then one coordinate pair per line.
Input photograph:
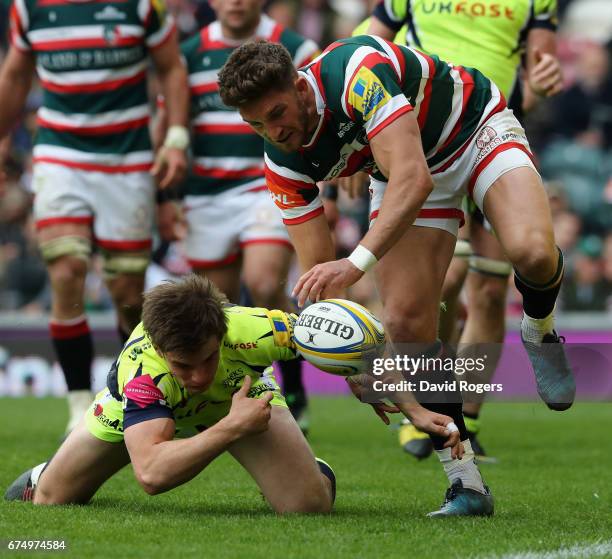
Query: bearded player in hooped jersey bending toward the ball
x,y
427,133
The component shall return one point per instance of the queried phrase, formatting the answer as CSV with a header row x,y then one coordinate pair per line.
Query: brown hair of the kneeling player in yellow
x,y
180,316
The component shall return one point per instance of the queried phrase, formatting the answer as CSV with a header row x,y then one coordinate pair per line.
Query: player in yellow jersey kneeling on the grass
x,y
194,364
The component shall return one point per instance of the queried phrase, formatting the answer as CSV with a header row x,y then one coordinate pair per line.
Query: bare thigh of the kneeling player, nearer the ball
x,y
283,466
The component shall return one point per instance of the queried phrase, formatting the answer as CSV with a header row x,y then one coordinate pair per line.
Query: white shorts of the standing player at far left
x,y
118,206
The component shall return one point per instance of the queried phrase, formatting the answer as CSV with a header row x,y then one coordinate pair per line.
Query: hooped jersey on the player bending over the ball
x,y
361,85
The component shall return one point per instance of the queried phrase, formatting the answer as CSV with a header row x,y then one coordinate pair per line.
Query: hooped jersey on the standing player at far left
x,y
91,59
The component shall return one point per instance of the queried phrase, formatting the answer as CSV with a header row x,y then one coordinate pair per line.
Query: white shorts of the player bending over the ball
x,y
498,146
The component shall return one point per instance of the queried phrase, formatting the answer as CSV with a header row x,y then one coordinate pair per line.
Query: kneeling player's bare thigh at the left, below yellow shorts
x,y
80,466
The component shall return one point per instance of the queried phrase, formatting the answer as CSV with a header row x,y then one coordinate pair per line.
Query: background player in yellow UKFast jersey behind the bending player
x,y
495,37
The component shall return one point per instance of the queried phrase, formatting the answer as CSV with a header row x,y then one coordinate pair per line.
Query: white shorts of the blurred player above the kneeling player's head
x,y
220,226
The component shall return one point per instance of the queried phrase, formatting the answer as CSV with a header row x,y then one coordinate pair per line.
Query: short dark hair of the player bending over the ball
x,y
253,70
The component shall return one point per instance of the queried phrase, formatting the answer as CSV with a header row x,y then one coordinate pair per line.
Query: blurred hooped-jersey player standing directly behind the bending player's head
x,y
234,230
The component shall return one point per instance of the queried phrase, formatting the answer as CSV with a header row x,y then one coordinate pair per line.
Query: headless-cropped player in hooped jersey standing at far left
x,y
93,161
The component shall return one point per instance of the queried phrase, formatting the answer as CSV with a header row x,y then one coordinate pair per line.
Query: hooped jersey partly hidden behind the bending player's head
x,y
227,154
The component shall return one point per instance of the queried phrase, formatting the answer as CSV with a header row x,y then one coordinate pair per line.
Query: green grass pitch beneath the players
x,y
553,489
